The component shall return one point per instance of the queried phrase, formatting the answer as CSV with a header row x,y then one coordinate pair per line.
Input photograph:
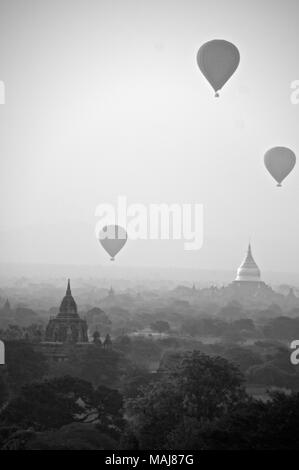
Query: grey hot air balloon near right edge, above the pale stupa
x,y
279,161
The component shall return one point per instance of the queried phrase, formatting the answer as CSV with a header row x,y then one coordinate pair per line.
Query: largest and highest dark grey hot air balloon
x,y
218,60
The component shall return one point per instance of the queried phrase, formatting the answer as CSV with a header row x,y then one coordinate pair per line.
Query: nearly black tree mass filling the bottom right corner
x,y
254,425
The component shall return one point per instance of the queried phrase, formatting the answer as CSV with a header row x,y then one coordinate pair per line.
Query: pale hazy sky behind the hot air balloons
x,y
104,98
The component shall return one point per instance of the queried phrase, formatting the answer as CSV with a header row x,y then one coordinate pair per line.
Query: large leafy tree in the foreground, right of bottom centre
x,y
197,387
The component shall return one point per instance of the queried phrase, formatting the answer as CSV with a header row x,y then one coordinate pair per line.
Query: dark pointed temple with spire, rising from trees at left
x,y
67,326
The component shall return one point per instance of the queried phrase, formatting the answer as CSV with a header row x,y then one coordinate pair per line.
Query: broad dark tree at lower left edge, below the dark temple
x,y
62,401
